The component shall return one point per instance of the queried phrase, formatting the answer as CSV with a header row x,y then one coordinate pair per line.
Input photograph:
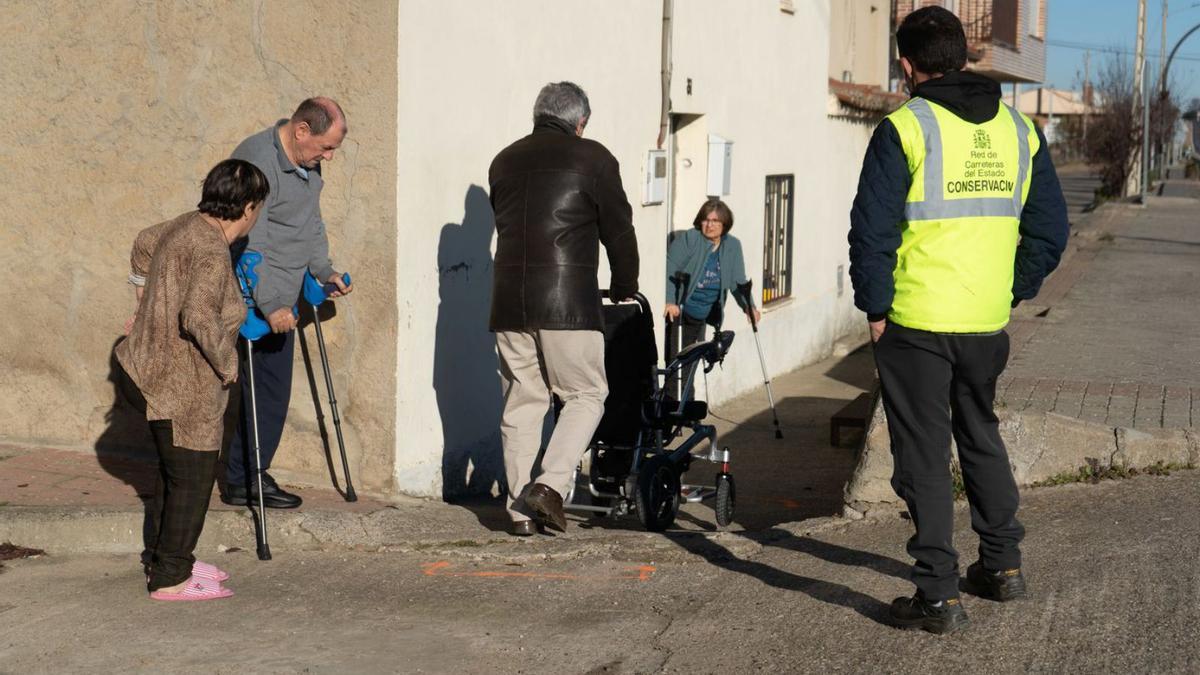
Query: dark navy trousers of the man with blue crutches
x,y
273,385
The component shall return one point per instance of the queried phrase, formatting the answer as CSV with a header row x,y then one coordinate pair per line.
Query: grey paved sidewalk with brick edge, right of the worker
x,y
1114,336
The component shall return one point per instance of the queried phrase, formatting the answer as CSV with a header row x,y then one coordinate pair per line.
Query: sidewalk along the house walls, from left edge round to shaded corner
x,y
80,500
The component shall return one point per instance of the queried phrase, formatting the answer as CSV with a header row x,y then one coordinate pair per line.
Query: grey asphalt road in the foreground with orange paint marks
x,y
1112,568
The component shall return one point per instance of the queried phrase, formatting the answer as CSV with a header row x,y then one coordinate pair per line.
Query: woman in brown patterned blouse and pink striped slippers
x,y
182,354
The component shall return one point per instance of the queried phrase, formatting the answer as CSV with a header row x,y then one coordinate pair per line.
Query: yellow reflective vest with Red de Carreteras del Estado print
x,y
955,267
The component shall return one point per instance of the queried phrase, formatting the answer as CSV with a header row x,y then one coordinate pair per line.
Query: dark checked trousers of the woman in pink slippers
x,y
176,516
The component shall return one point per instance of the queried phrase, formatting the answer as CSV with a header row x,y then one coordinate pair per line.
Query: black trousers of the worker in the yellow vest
x,y
938,386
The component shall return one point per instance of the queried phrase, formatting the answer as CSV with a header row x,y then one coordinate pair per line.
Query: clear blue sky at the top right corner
x,y
1075,26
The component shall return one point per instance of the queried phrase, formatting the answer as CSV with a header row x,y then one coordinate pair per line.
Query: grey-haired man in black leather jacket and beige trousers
x,y
557,198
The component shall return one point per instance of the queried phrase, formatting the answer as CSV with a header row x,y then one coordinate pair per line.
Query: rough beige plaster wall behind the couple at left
x,y
119,109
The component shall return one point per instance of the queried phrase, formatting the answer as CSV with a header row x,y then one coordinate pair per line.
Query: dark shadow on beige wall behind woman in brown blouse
x,y
125,449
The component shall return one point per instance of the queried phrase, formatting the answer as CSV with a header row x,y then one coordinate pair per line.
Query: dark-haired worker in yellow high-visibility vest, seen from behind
x,y
959,217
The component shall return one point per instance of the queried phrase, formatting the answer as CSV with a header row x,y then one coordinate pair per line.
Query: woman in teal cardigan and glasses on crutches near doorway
x,y
703,265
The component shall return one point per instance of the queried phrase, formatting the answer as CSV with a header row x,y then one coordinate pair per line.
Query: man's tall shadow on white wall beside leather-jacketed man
x,y
466,369
